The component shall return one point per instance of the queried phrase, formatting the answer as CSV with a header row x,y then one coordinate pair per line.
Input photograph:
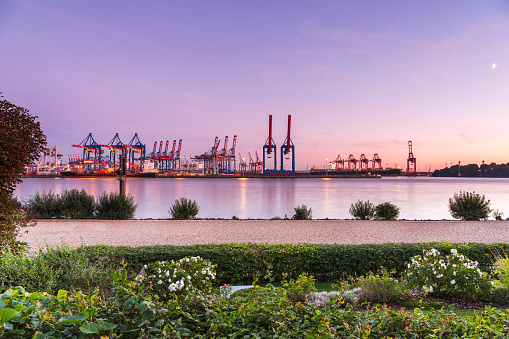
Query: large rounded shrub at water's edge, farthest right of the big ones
x,y
469,206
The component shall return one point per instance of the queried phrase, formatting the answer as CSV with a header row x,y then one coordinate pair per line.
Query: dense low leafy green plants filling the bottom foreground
x,y
131,310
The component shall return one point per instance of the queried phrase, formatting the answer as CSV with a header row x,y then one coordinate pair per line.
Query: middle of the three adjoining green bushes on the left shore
x,y
77,204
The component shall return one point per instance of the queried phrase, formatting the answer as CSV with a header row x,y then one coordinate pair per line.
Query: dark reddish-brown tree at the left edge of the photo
x,y
21,141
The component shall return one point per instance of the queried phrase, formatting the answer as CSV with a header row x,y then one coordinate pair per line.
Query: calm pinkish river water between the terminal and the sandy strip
x,y
417,197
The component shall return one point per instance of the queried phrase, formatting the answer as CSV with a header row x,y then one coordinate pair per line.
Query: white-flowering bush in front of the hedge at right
x,y
447,275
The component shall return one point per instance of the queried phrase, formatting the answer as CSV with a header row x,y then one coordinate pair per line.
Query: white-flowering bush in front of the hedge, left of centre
x,y
167,279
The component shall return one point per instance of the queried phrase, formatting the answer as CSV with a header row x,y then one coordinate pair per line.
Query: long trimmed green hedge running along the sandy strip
x,y
242,263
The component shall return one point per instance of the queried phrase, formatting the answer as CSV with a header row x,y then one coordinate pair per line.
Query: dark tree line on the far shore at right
x,y
473,170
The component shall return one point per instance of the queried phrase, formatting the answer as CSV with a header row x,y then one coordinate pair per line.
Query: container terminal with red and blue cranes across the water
x,y
166,160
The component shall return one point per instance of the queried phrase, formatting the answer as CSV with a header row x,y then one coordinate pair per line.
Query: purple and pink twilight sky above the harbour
x,y
357,77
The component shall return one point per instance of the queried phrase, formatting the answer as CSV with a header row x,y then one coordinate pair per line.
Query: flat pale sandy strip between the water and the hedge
x,y
189,232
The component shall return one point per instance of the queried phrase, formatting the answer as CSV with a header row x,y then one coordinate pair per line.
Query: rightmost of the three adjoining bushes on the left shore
x,y
115,206
